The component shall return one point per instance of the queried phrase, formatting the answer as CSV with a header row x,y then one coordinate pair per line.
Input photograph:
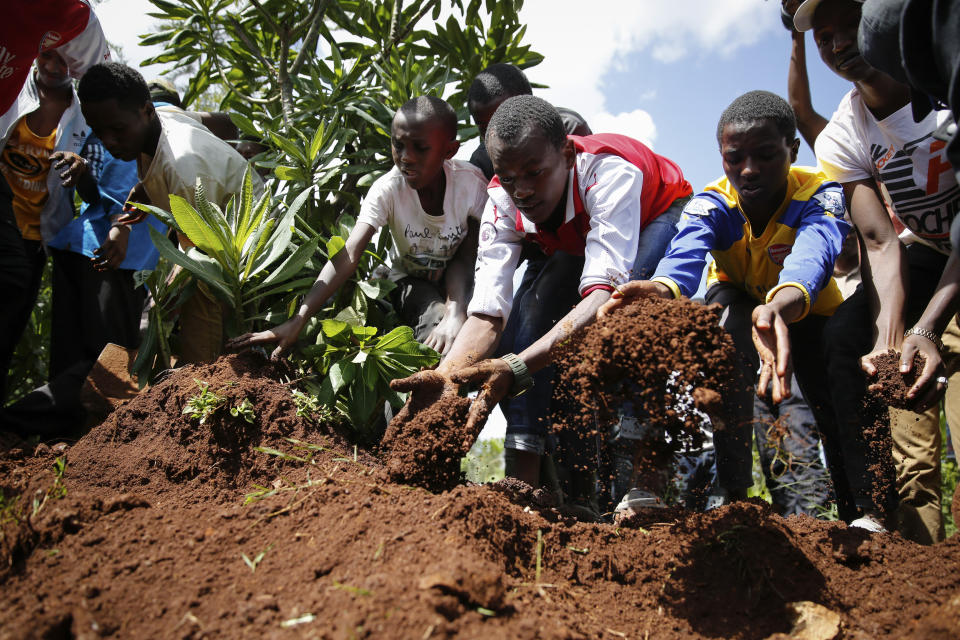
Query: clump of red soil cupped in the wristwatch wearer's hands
x,y
425,442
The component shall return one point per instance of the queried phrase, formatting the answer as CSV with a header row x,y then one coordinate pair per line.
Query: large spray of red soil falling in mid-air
x,y
669,360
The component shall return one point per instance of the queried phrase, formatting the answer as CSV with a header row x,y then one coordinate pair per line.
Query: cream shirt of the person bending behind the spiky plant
x,y
188,150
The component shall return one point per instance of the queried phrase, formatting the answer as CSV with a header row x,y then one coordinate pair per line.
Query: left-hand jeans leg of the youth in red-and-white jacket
x,y
546,294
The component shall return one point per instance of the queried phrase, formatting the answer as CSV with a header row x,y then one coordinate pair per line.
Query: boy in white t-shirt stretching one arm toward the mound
x,y
432,205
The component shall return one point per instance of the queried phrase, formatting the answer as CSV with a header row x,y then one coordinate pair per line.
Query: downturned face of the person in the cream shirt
x,y
123,130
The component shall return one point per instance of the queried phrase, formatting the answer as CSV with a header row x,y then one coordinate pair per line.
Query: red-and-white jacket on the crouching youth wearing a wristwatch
x,y
616,187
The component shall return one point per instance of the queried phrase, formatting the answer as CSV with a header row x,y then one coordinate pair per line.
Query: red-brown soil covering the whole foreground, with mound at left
x,y
162,527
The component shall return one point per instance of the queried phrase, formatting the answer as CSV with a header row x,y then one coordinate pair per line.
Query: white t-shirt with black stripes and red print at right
x,y
910,165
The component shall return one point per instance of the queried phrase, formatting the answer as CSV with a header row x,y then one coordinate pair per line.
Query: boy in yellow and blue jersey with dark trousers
x,y
774,231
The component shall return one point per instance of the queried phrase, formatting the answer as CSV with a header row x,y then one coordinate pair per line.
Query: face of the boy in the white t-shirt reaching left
x,y
419,145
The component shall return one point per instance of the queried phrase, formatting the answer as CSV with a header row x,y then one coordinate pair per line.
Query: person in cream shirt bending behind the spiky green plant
x,y
172,151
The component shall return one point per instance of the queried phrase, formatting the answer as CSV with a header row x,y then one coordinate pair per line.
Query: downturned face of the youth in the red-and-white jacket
x,y
533,172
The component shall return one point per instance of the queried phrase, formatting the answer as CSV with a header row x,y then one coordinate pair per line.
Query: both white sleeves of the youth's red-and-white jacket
x,y
605,198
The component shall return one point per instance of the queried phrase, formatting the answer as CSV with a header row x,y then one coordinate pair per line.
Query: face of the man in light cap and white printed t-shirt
x,y
835,24
